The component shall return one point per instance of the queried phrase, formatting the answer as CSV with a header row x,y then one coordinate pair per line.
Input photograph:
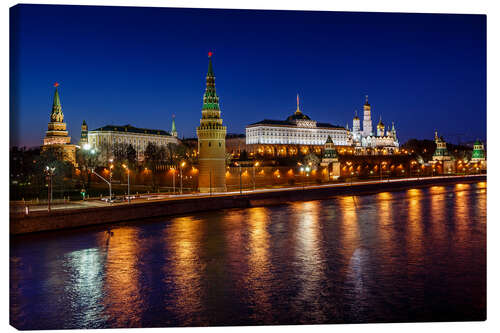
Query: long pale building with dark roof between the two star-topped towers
x,y
105,137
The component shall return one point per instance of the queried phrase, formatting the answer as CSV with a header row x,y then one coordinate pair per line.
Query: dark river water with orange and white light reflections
x,y
415,255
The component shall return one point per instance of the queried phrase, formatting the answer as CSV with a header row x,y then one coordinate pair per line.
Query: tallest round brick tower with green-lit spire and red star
x,y
211,140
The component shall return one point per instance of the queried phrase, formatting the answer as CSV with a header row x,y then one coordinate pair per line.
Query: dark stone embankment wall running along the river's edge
x,y
74,218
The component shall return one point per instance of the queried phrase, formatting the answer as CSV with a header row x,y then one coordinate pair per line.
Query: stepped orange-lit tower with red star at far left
x,y
56,137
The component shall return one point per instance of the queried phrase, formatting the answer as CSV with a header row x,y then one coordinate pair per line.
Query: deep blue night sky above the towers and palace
x,y
129,65
